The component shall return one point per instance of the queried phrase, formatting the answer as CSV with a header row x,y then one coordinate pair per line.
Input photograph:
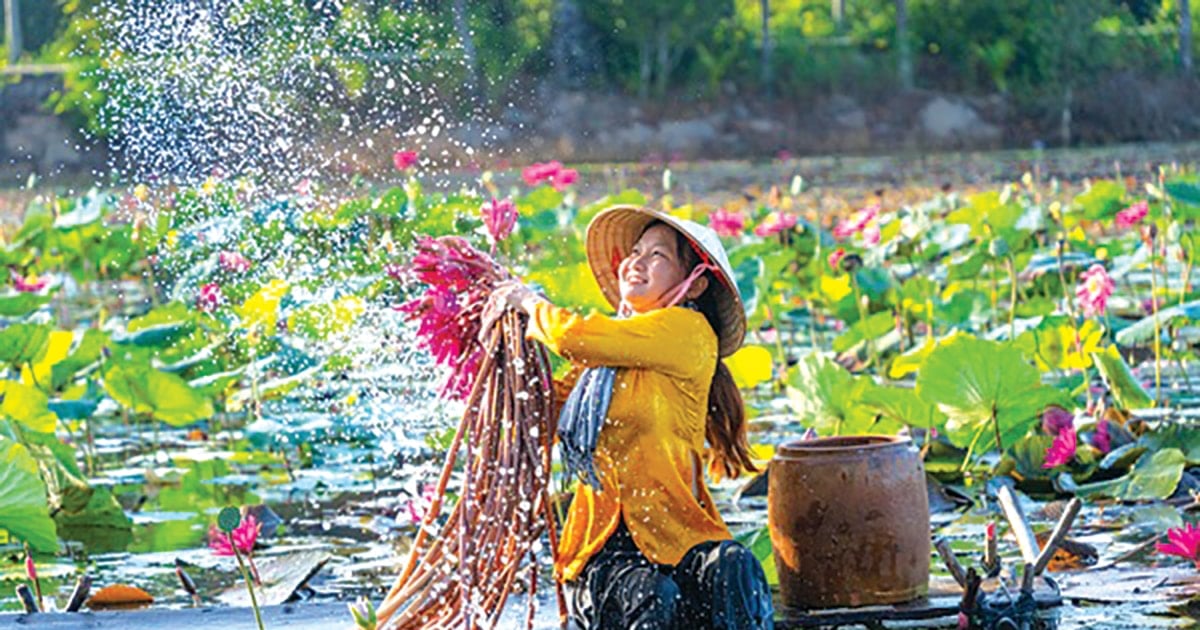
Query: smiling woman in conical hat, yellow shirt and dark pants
x,y
644,547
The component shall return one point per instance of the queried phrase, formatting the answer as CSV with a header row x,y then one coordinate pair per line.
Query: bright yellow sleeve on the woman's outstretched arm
x,y
675,341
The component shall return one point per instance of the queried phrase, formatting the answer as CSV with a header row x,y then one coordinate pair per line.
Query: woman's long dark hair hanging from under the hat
x,y
727,425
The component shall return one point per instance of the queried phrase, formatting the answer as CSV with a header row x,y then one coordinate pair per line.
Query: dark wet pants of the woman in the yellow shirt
x,y
717,586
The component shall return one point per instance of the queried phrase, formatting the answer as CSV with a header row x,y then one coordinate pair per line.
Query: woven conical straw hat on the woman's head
x,y
615,231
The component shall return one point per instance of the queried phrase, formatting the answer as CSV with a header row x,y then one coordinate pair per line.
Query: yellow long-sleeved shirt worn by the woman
x,y
656,424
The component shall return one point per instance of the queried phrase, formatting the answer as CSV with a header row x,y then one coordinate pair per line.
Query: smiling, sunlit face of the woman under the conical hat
x,y
652,269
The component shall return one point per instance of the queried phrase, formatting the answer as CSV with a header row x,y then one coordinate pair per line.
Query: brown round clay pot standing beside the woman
x,y
849,521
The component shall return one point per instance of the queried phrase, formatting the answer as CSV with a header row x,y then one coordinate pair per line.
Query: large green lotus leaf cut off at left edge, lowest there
x,y
25,512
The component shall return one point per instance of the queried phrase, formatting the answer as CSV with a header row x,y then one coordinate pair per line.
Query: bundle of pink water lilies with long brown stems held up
x,y
461,574
